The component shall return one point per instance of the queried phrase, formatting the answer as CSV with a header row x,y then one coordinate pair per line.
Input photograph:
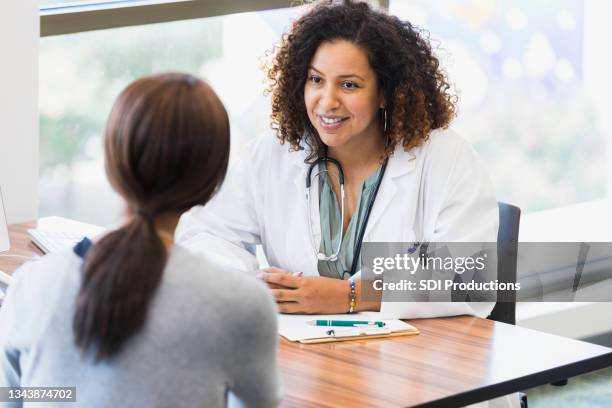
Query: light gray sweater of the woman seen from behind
x,y
210,339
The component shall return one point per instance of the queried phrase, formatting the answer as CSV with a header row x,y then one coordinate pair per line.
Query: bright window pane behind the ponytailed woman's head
x,y
81,75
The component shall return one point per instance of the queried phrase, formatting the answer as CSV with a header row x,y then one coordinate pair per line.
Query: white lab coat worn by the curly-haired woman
x,y
438,192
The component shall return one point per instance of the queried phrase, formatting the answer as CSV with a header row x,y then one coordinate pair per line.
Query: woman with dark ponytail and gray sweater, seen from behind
x,y
130,319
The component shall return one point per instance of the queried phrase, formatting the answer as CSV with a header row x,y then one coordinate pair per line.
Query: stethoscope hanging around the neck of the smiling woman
x,y
334,256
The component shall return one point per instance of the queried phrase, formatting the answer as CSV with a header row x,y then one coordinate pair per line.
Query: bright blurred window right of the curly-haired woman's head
x,y
528,102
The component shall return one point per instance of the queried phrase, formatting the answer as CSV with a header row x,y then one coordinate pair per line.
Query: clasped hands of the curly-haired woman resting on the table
x,y
307,295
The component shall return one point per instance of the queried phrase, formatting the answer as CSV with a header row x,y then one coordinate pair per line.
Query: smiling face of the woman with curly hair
x,y
341,94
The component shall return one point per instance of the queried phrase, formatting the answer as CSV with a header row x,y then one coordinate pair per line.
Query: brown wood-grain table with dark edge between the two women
x,y
453,362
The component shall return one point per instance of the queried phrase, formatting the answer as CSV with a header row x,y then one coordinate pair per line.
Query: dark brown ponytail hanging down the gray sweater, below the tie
x,y
119,281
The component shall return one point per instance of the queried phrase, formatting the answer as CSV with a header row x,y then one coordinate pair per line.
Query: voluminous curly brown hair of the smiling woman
x,y
418,94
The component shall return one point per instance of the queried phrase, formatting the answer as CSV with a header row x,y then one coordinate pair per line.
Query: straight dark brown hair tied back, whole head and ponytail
x,y
166,150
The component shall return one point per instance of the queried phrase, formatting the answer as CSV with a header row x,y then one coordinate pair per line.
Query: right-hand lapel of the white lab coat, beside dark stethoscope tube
x,y
400,164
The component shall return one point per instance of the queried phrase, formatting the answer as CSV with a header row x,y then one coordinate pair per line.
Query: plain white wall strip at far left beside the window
x,y
19,34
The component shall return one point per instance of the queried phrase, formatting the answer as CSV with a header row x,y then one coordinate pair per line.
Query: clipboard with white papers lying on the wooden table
x,y
297,328
